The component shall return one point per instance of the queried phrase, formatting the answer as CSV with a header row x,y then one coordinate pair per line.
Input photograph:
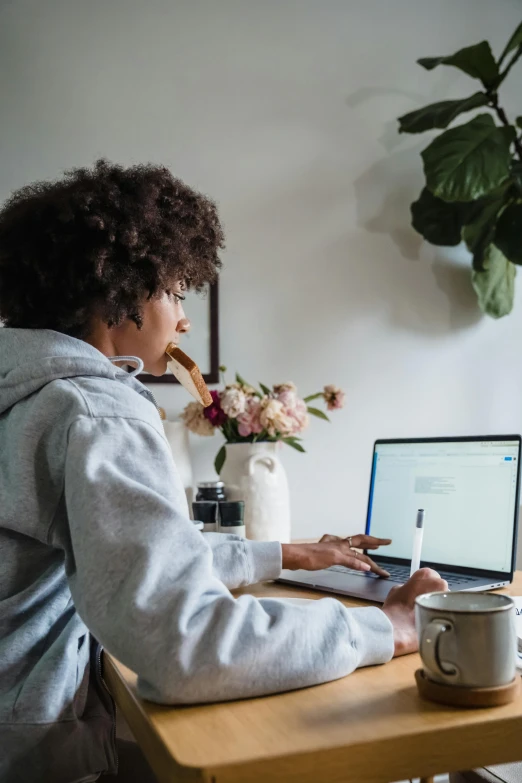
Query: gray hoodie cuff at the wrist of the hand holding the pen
x,y
373,635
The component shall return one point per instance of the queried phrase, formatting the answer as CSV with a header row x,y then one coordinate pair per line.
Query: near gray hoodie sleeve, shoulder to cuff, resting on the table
x,y
142,579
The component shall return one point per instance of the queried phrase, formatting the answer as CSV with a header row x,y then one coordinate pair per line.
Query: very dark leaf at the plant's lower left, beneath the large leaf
x,y
437,221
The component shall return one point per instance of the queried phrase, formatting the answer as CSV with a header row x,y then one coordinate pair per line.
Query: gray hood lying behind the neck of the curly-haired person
x,y
31,358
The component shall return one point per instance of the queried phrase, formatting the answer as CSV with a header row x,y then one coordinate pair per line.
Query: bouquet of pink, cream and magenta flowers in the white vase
x,y
245,414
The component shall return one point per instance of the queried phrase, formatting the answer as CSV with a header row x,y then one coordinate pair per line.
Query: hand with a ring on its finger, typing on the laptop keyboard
x,y
333,550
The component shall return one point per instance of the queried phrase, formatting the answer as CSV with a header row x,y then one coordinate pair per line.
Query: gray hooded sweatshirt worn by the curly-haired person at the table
x,y
96,548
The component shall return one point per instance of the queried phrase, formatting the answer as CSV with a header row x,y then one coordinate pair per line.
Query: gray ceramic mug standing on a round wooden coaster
x,y
467,639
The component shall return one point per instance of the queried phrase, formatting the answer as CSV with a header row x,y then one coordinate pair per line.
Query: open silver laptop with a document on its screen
x,y
469,490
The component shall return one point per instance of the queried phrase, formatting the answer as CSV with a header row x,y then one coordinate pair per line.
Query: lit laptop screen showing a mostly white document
x,y
468,490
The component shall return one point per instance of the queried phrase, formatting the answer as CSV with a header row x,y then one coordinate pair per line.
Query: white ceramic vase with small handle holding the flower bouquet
x,y
254,473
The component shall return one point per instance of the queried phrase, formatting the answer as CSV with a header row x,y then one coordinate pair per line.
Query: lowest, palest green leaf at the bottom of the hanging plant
x,y
495,286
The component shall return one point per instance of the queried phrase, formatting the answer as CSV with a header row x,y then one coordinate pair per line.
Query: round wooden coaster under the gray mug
x,y
457,696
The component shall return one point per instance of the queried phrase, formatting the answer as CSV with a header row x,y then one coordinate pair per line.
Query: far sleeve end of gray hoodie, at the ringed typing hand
x,y
238,562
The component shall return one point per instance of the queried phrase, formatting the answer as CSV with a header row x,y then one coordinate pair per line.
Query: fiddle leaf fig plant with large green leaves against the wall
x,y
473,173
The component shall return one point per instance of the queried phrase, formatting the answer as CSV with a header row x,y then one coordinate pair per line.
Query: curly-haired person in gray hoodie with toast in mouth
x,y
96,544
